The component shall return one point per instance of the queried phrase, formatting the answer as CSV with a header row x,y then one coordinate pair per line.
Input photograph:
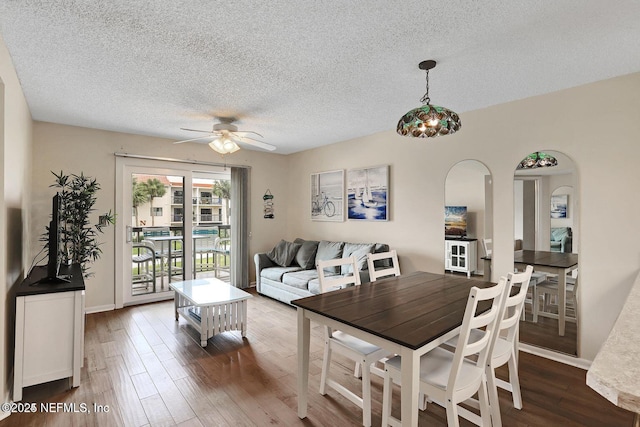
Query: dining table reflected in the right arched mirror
x,y
560,263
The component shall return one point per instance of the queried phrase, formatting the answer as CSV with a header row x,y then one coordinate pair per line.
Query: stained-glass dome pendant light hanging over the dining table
x,y
429,120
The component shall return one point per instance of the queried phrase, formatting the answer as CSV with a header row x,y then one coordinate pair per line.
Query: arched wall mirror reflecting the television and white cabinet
x,y
468,217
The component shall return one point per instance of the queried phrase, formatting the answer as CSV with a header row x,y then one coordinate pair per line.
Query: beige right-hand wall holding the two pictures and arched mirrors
x,y
595,125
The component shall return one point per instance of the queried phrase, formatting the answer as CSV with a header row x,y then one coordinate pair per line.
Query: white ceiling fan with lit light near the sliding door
x,y
226,136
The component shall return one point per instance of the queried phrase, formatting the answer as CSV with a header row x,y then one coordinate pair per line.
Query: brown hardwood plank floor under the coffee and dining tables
x,y
148,369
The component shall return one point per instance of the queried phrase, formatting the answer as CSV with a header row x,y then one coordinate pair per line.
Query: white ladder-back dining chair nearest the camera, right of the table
x,y
450,378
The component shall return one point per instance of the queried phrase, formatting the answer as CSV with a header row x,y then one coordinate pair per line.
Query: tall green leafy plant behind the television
x,y
78,236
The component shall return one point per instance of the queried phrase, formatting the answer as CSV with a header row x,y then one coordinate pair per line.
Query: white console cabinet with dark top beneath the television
x,y
49,336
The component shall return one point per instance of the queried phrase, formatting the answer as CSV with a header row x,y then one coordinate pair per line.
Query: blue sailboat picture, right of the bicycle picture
x,y
368,193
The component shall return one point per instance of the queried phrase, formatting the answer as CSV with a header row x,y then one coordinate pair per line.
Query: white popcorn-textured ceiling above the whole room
x,y
303,73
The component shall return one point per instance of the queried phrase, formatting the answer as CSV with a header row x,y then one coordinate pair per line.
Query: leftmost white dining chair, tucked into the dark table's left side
x,y
361,352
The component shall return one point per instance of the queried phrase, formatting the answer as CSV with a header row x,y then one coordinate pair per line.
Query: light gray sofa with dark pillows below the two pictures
x,y
288,271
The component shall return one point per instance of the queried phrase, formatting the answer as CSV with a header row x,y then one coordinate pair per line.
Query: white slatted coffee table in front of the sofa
x,y
211,306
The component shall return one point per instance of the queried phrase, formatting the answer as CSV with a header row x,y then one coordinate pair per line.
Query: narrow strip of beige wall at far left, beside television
x,y
15,146
